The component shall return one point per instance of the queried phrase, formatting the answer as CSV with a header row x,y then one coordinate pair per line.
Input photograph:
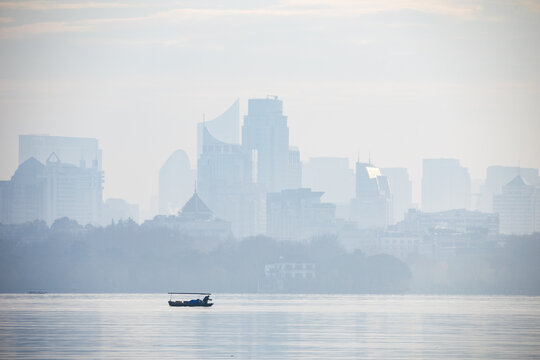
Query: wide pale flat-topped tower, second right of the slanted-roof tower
x,y
446,185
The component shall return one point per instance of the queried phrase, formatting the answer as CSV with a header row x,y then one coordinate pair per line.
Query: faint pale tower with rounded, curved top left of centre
x,y
176,183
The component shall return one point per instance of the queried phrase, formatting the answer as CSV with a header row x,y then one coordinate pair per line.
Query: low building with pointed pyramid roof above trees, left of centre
x,y
196,220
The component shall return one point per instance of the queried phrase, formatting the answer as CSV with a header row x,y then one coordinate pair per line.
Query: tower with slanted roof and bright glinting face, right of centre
x,y
372,206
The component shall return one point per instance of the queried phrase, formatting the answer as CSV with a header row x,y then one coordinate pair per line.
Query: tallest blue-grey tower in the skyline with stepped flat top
x,y
265,133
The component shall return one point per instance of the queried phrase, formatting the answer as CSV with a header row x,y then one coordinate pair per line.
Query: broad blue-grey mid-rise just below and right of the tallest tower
x,y
298,214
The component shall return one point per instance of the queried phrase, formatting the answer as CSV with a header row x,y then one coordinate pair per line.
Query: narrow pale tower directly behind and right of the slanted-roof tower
x,y
401,186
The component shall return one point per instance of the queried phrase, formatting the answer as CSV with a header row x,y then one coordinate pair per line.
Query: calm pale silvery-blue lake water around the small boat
x,y
270,326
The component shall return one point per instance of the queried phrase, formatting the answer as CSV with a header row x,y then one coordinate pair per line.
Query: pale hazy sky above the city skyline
x,y
401,79
